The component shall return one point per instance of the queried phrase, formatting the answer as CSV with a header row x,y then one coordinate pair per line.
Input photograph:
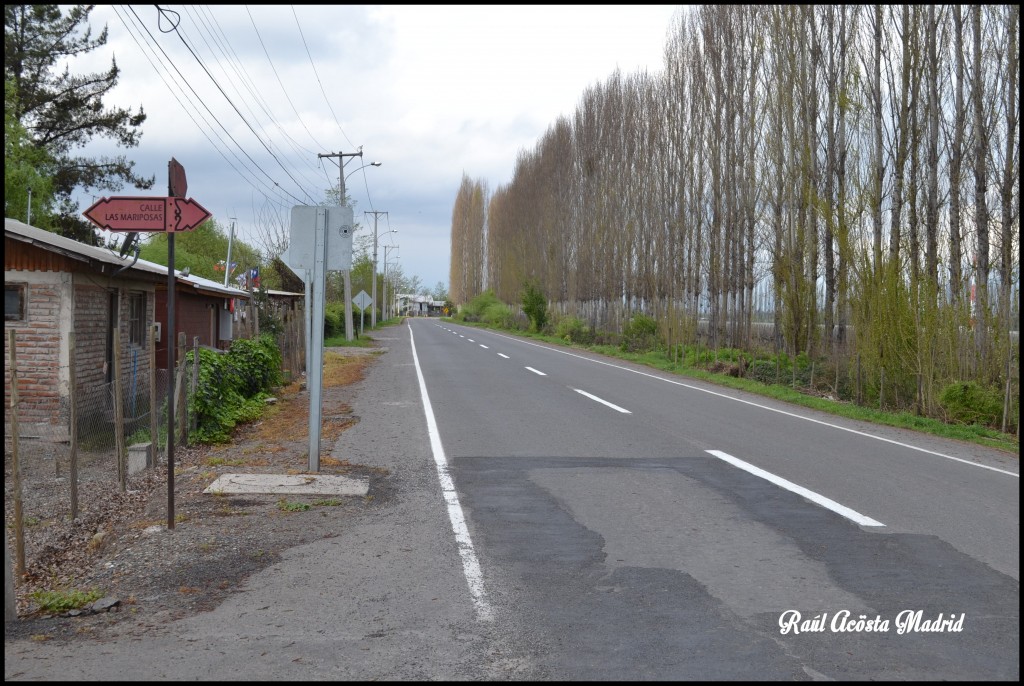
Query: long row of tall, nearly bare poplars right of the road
x,y
847,174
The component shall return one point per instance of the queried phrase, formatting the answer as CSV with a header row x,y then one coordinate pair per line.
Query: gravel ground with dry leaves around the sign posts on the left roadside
x,y
121,547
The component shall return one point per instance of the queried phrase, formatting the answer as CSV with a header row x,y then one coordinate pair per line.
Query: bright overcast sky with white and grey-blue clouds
x,y
433,93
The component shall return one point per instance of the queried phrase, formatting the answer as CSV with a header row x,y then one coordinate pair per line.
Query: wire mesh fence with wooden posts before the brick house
x,y
73,449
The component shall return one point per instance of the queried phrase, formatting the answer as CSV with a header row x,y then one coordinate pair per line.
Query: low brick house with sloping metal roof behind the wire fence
x,y
55,286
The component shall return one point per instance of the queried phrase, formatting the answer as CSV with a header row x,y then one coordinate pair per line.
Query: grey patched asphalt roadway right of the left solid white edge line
x,y
649,527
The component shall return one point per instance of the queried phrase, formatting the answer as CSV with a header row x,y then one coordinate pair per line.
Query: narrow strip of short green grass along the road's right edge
x,y
973,434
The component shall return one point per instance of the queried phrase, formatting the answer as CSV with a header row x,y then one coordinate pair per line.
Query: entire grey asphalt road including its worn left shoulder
x,y
556,516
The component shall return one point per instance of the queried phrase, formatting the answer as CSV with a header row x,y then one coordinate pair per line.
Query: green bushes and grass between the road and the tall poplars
x,y
970,412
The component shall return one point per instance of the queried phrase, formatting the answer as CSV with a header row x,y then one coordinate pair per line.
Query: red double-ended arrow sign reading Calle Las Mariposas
x,y
147,215
